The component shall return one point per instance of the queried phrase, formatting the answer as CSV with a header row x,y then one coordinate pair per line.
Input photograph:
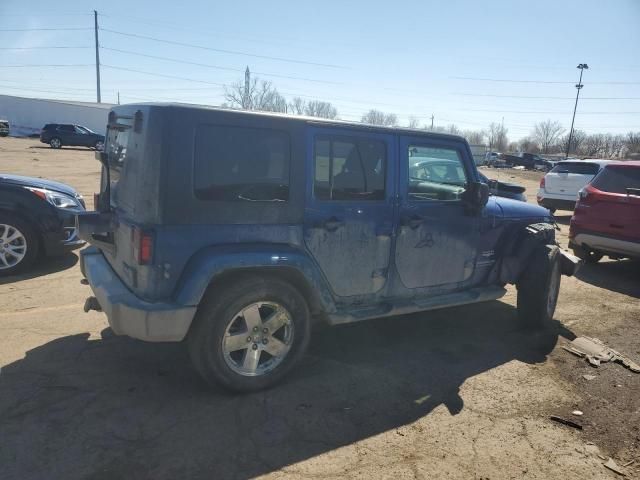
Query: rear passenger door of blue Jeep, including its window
x,y
350,208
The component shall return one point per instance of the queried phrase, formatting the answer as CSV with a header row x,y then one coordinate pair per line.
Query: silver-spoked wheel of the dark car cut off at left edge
x,y
19,244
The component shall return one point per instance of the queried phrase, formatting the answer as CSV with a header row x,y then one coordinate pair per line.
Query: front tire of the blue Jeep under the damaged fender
x,y
539,286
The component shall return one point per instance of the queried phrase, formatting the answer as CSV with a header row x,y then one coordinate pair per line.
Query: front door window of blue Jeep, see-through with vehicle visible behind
x,y
435,173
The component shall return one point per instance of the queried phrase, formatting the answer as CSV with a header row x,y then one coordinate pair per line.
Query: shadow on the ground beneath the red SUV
x,y
622,276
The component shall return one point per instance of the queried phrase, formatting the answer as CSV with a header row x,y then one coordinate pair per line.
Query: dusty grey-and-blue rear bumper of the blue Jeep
x,y
127,314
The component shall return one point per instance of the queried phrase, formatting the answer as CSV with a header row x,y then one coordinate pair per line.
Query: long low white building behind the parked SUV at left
x,y
27,116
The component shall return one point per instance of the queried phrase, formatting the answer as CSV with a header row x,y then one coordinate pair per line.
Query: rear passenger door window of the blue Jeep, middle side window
x,y
349,168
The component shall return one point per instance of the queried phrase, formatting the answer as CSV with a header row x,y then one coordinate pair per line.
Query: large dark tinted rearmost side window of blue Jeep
x,y
241,164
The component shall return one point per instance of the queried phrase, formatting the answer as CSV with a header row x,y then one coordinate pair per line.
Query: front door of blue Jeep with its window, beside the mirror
x,y
437,237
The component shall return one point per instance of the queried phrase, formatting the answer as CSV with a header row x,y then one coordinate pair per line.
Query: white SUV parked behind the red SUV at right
x,y
559,188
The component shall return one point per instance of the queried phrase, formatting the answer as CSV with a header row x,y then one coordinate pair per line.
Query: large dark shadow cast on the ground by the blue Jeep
x,y
117,408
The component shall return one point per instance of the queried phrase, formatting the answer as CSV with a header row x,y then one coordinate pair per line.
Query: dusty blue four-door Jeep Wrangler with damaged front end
x,y
235,231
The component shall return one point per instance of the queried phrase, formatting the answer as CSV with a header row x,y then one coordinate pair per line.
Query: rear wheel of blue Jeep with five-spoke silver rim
x,y
249,335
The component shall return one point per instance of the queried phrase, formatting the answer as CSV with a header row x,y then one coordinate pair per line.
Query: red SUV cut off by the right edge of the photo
x,y
606,220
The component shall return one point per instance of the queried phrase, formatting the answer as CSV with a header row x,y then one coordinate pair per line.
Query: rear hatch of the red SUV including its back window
x,y
617,208
